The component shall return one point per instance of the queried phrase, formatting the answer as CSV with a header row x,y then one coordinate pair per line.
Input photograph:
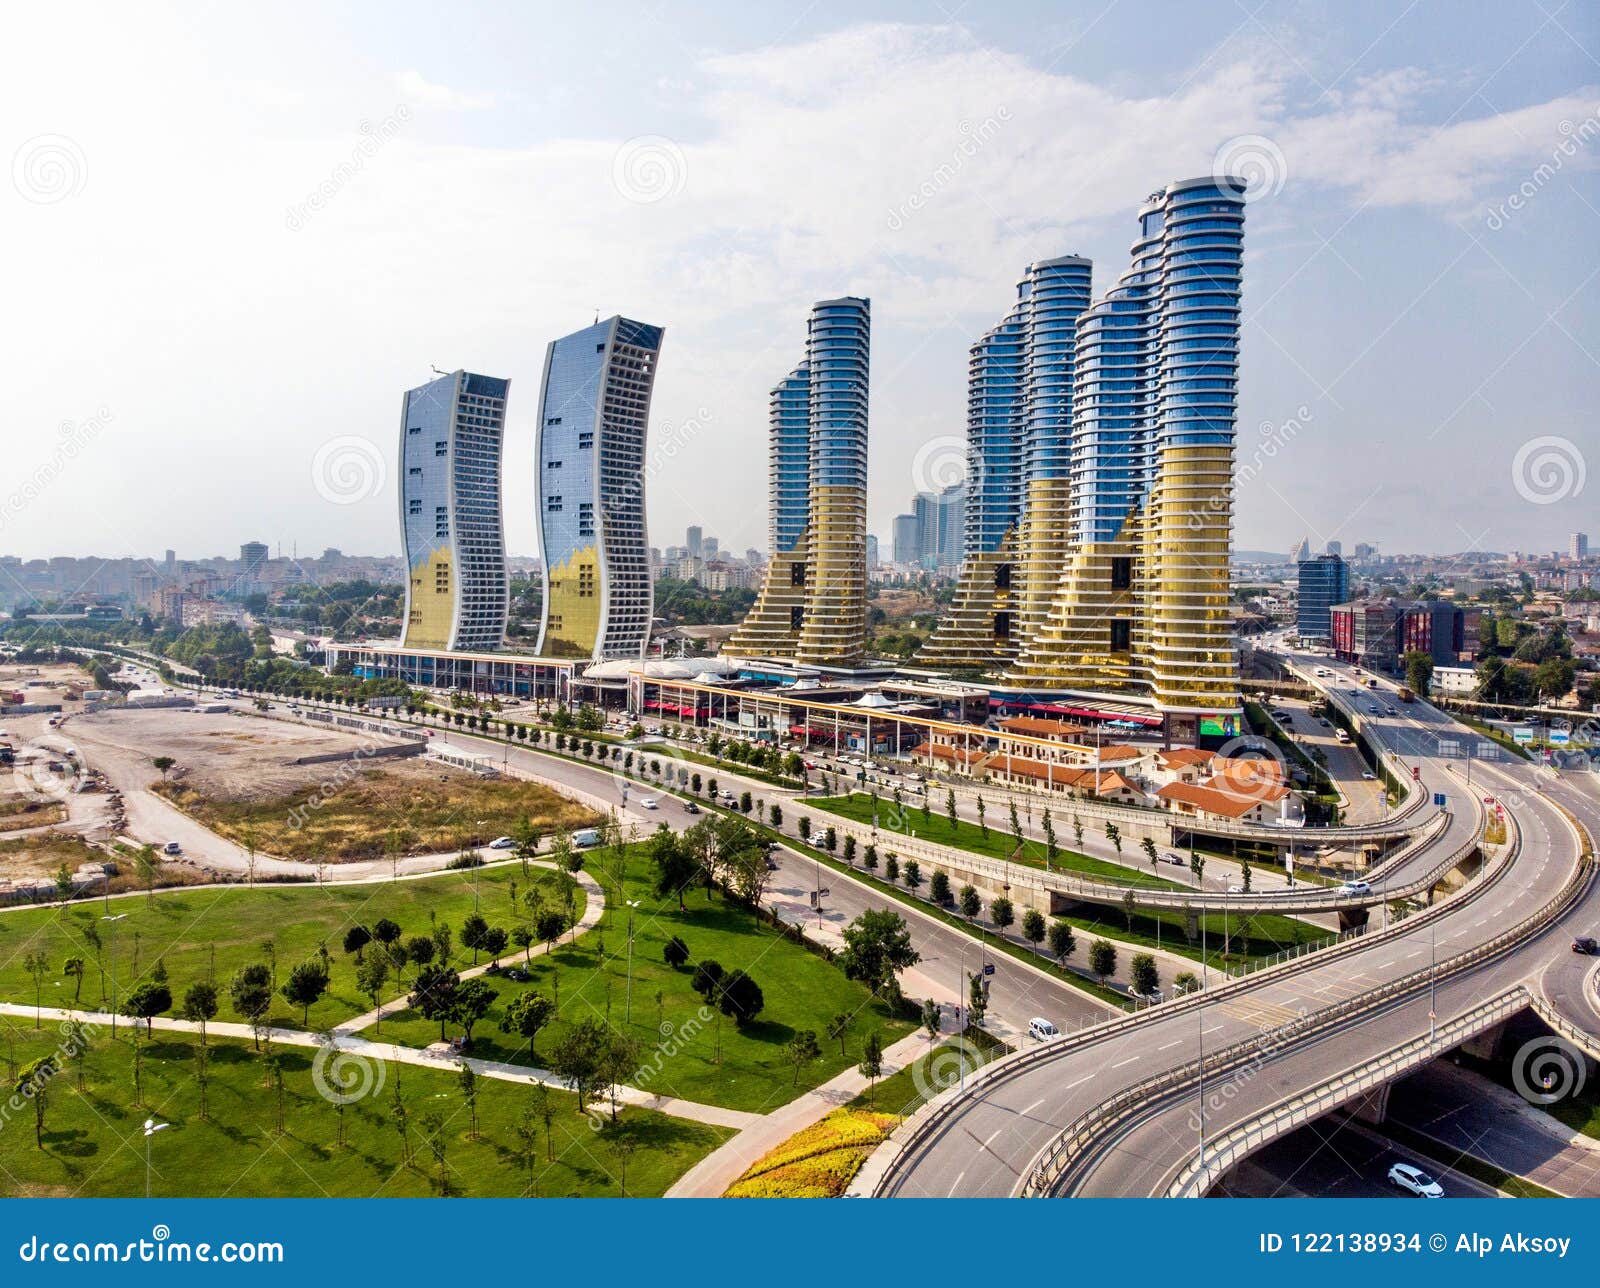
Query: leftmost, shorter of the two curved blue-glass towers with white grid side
x,y
452,433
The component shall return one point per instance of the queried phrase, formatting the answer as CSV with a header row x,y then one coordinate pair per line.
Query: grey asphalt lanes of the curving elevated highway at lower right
x,y
990,1145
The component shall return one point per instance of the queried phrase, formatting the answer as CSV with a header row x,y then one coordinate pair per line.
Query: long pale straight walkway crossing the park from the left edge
x,y
428,1058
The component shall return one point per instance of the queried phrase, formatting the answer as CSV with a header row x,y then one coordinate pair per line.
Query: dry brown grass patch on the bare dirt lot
x,y
383,809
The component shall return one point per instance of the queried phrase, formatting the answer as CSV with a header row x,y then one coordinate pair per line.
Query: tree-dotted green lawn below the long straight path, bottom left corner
x,y
94,1145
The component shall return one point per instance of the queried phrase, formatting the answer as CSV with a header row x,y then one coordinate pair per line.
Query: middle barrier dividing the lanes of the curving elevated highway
x,y
1066,1156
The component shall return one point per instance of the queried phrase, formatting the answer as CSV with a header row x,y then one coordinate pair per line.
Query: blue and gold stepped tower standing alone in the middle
x,y
814,602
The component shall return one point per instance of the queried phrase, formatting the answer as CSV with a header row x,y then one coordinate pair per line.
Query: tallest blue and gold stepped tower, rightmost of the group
x,y
1142,607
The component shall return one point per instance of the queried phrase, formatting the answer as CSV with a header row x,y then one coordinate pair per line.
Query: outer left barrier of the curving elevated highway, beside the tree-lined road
x,y
932,1118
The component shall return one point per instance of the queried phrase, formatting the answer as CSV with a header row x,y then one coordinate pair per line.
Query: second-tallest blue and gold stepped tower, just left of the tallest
x,y
1020,383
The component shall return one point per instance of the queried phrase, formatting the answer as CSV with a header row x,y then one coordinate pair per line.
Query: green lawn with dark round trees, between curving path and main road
x,y
679,1041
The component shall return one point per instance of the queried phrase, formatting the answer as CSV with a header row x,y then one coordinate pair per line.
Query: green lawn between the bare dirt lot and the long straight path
x,y
182,929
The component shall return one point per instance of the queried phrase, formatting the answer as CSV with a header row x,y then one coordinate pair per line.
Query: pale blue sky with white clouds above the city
x,y
231,239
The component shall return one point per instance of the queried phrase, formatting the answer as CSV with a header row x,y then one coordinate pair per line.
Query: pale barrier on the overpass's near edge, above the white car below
x,y
1201,1174
